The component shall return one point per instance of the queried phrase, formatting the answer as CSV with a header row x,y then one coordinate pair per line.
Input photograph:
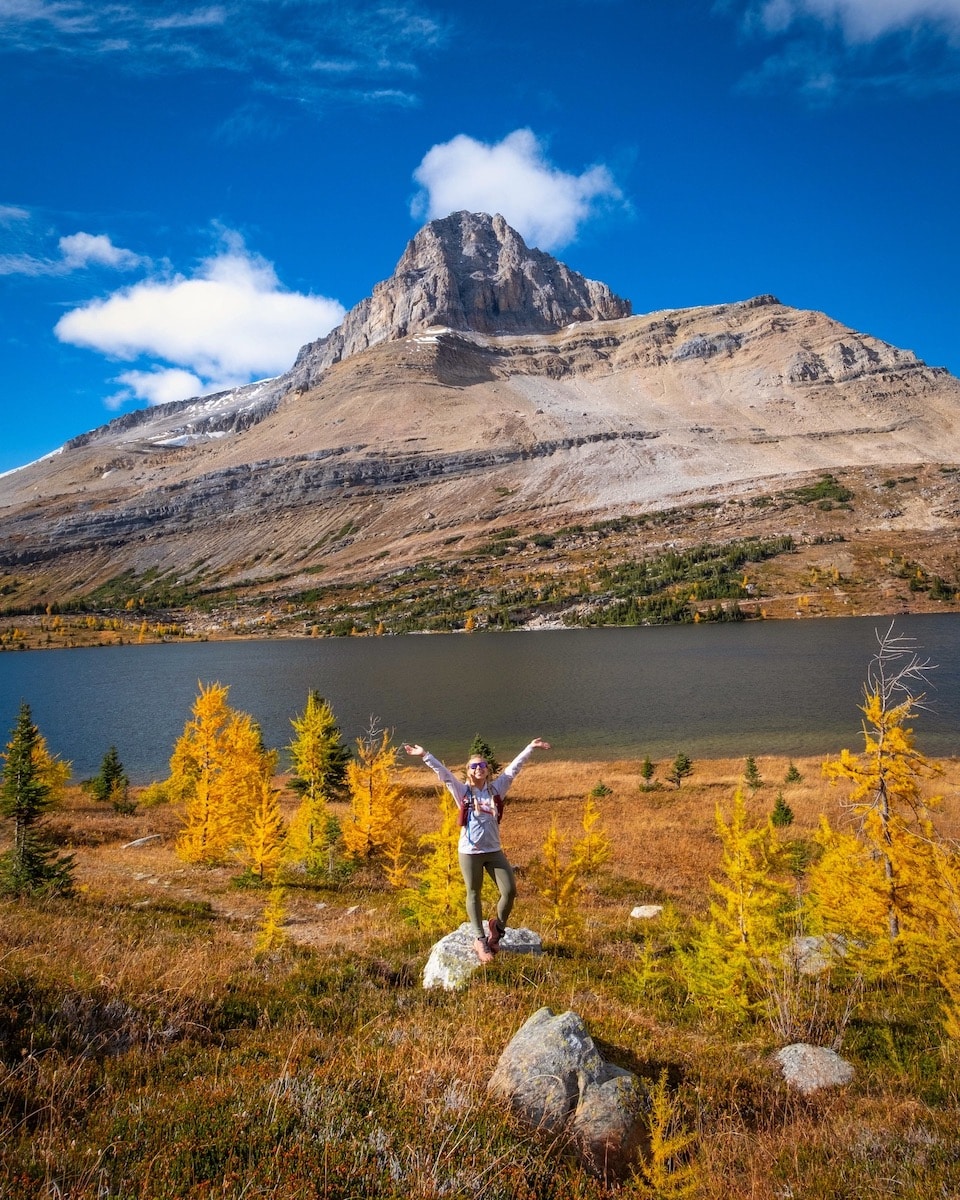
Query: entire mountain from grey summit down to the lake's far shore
x,y
488,412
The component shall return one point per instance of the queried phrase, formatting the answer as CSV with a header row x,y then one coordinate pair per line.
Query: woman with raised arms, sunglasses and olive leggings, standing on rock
x,y
481,807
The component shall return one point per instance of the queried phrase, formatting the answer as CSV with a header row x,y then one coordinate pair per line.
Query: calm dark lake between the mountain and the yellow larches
x,y
788,688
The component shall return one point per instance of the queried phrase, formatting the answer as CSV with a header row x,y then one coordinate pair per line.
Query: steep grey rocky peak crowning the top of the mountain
x,y
466,272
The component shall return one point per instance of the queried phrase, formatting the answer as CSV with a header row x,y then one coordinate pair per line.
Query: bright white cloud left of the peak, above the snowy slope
x,y
225,326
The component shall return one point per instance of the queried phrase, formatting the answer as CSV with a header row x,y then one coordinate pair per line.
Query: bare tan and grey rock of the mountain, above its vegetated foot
x,y
440,436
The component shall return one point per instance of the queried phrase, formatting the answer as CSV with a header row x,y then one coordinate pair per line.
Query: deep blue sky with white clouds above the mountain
x,y
190,191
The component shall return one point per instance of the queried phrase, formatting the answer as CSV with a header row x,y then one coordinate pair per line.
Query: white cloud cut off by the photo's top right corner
x,y
863,21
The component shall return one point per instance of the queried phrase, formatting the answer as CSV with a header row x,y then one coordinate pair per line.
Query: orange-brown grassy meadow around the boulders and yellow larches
x,y
147,1053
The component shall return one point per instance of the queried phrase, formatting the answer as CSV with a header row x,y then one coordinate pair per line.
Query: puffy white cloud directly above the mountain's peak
x,y
513,178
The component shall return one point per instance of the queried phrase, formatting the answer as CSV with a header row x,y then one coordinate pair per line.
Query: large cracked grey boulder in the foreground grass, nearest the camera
x,y
556,1081
